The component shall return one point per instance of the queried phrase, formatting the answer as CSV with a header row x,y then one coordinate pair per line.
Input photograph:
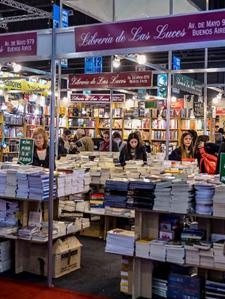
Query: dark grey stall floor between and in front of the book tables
x,y
99,274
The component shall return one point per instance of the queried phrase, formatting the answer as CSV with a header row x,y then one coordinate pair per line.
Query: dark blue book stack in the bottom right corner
x,y
214,290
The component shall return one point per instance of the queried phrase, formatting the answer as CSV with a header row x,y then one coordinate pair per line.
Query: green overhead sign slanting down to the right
x,y
187,84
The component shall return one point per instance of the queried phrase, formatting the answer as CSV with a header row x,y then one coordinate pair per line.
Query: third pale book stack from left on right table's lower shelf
x,y
175,253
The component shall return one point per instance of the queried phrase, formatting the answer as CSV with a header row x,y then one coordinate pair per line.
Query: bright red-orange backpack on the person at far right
x,y
208,162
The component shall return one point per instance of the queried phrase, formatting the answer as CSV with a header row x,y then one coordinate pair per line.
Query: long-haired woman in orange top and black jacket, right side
x,y
186,149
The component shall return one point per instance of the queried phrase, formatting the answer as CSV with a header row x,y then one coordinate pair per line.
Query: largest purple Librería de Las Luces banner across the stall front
x,y
201,27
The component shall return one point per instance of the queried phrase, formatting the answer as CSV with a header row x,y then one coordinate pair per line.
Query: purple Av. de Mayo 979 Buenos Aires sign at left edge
x,y
22,44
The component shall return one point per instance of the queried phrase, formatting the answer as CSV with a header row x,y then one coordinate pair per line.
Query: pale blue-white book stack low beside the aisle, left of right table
x,y
120,241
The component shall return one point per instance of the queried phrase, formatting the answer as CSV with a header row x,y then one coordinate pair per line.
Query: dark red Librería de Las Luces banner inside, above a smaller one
x,y
111,80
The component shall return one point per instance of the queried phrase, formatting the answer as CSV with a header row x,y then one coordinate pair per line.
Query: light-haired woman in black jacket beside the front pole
x,y
41,148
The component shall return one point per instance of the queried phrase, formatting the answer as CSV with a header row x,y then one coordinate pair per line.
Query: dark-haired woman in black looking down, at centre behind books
x,y
133,150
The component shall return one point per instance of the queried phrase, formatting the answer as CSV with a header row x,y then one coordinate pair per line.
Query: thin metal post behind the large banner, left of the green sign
x,y
169,84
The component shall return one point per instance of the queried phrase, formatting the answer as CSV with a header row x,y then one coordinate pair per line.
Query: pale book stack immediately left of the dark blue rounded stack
x,y
182,197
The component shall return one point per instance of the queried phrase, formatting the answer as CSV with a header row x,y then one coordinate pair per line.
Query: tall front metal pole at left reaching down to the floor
x,y
51,159
